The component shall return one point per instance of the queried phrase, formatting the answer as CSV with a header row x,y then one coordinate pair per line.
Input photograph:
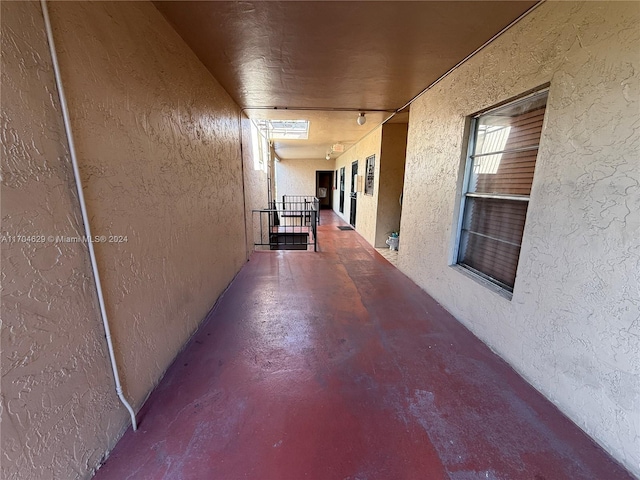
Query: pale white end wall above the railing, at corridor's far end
x,y
298,177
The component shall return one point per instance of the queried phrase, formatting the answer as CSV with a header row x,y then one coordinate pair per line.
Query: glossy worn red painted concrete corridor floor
x,y
334,365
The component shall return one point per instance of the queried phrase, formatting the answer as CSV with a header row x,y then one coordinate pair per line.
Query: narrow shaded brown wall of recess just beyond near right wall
x,y
391,180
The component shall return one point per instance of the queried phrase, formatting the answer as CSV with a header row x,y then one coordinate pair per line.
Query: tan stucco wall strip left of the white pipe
x,y
59,410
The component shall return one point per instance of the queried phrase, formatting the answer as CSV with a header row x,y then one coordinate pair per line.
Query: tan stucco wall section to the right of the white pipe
x,y
159,145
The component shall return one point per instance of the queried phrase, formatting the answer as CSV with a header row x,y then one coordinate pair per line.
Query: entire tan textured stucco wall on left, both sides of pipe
x,y
158,142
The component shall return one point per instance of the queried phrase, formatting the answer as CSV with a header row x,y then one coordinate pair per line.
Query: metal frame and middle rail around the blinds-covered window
x,y
465,194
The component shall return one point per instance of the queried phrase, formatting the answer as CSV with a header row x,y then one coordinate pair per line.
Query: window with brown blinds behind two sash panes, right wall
x,y
503,151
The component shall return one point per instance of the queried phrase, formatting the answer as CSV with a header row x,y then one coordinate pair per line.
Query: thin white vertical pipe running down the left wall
x,y
85,216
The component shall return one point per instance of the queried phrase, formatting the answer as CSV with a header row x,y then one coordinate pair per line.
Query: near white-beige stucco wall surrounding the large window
x,y
572,327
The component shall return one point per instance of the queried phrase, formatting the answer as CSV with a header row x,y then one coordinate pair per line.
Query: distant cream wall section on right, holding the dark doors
x,y
367,206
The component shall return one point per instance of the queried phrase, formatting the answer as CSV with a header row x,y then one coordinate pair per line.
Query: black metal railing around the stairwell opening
x,y
288,225
